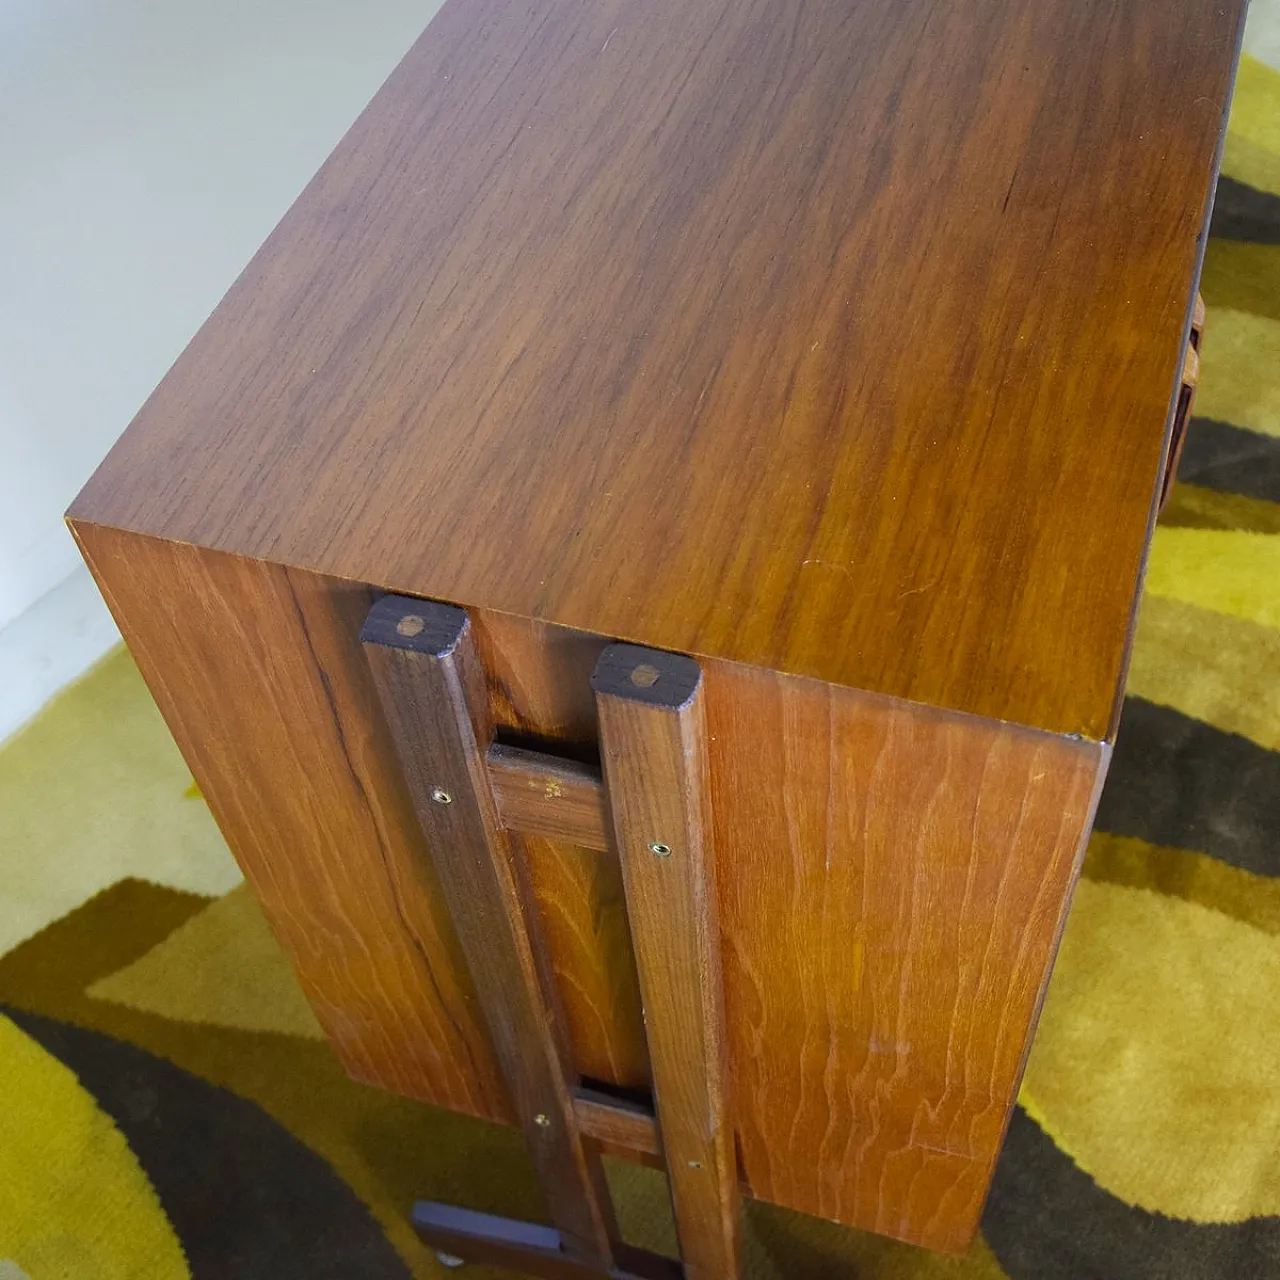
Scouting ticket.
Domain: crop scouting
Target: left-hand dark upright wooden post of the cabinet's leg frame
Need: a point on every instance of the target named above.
(436, 702)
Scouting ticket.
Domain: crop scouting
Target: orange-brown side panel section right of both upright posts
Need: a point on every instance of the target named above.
(893, 885)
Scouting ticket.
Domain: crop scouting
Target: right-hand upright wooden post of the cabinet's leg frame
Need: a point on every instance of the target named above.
(653, 743)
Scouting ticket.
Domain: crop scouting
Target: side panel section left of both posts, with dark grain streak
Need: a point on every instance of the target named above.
(259, 675)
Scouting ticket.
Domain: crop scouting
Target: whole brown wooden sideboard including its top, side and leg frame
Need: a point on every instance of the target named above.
(642, 565)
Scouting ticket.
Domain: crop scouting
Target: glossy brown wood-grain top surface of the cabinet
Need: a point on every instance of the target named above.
(838, 339)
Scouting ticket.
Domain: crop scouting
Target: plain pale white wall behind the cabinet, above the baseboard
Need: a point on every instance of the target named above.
(147, 149)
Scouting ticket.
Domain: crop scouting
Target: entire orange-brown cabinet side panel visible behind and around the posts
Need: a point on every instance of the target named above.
(893, 881)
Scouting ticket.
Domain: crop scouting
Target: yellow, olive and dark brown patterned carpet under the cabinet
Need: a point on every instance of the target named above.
(168, 1108)
